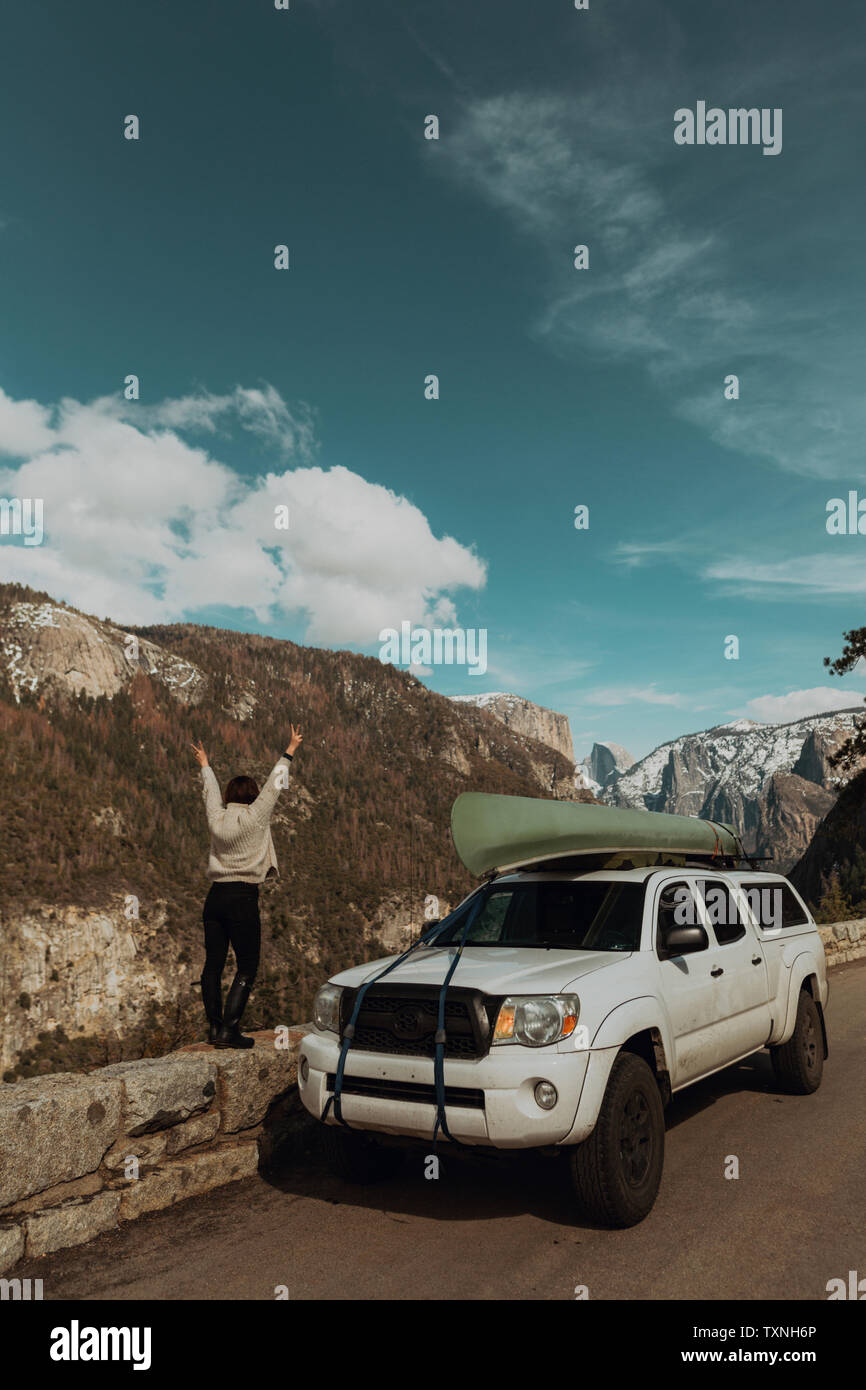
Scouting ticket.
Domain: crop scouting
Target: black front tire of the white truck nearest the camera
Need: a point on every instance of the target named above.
(618, 1171)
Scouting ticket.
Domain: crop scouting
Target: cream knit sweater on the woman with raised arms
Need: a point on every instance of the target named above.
(241, 844)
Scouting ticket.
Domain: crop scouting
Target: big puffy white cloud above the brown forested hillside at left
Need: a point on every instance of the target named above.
(145, 528)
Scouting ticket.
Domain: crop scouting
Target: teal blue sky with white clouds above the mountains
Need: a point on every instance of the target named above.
(452, 256)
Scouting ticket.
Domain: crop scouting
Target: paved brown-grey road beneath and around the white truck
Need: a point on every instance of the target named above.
(503, 1228)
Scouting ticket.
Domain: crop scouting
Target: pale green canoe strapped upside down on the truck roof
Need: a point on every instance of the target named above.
(509, 832)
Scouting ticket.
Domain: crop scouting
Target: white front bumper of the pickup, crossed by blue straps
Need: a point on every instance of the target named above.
(489, 1102)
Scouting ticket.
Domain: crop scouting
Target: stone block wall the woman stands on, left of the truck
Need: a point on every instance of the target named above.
(80, 1154)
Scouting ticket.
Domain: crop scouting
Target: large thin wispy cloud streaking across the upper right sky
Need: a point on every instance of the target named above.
(667, 286)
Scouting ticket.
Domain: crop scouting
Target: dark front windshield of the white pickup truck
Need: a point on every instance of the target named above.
(566, 917)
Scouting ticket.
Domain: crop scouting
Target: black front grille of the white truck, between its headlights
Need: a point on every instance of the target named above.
(402, 1020)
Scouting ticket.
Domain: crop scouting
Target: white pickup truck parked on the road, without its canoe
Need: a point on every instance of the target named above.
(583, 1001)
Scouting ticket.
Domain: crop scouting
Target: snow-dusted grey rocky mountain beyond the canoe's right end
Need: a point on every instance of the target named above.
(772, 782)
